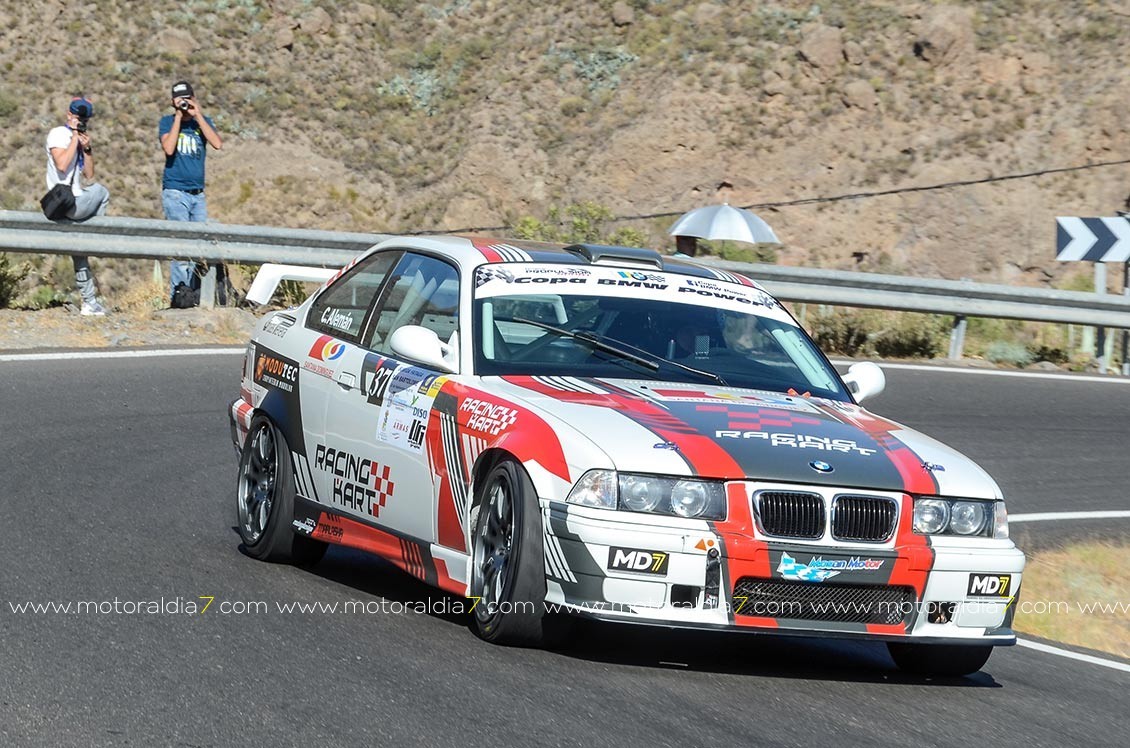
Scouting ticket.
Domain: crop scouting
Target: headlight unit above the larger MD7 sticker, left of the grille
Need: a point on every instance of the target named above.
(697, 500)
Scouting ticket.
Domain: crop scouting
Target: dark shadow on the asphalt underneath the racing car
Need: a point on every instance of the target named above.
(768, 656)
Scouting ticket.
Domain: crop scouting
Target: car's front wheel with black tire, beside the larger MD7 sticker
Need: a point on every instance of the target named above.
(508, 569)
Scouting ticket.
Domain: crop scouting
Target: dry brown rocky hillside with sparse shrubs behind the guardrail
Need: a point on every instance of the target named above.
(404, 116)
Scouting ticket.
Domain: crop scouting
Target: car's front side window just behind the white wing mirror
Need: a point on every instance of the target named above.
(422, 291)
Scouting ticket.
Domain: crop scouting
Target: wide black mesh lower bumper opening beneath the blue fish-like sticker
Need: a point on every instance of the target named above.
(846, 604)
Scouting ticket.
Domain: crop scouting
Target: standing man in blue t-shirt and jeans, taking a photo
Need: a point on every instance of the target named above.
(184, 137)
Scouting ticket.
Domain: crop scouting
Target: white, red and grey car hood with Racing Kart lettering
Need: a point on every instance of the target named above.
(732, 433)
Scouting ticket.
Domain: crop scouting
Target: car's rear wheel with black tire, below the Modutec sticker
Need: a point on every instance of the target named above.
(265, 500)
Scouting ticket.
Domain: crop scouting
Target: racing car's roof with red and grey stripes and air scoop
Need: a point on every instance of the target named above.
(473, 251)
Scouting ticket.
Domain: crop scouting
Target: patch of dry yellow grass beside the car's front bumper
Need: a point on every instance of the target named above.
(1080, 596)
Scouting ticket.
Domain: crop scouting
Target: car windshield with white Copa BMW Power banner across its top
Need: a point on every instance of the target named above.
(605, 323)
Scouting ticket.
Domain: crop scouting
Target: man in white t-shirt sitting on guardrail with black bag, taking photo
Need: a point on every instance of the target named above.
(71, 158)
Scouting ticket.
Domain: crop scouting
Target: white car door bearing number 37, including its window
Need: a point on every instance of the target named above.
(381, 420)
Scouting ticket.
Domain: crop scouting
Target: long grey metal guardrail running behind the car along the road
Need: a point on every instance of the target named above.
(143, 238)
